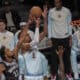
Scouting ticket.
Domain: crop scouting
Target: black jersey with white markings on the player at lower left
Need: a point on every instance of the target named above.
(11, 72)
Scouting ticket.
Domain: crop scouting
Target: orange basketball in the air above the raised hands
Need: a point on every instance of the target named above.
(36, 11)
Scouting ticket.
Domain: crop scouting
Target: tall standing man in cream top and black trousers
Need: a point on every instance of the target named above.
(60, 31)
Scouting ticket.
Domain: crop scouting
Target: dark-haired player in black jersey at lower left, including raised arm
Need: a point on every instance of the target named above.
(9, 66)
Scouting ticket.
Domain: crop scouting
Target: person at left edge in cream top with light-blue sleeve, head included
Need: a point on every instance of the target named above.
(6, 37)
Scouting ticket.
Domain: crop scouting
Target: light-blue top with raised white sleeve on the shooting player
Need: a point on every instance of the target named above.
(33, 68)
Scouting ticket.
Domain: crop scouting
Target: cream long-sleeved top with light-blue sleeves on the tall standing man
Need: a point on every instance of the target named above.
(59, 23)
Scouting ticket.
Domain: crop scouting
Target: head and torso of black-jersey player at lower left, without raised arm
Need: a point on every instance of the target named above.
(10, 64)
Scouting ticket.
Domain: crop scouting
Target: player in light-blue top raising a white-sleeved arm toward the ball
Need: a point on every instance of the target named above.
(32, 63)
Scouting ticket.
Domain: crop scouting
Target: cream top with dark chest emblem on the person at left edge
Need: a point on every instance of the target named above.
(7, 39)
